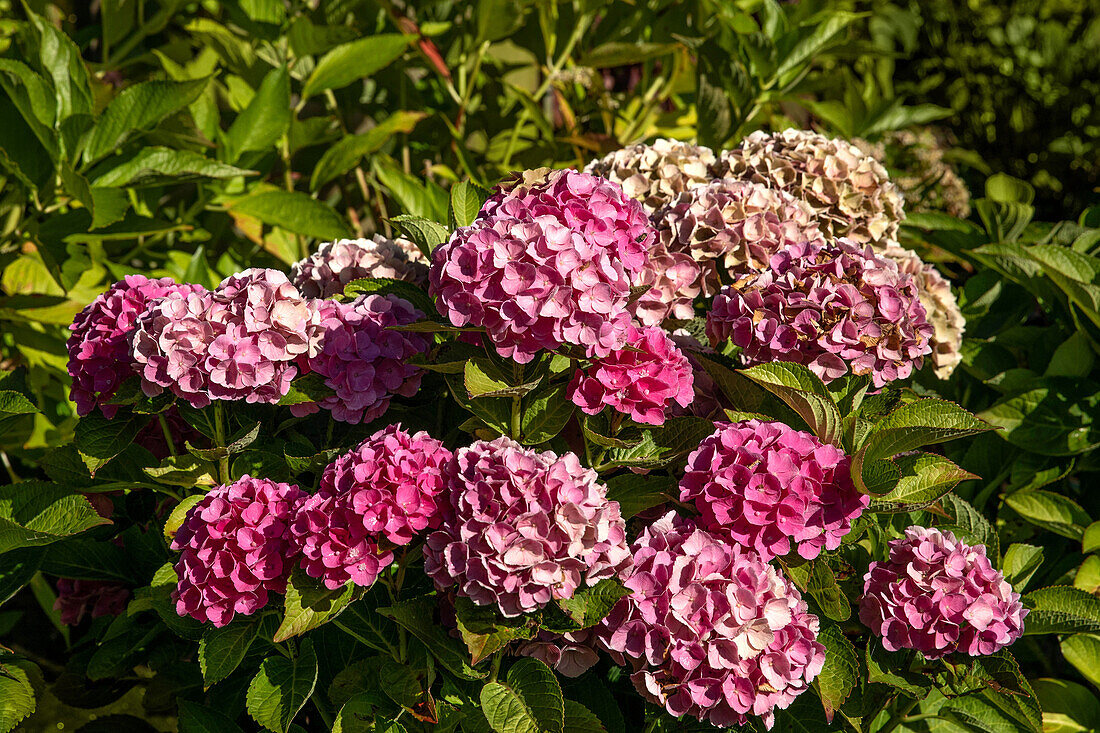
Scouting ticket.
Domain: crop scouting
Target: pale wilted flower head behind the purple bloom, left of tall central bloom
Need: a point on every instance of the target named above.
(327, 272)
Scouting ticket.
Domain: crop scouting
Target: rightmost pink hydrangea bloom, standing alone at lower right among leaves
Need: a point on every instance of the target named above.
(938, 595)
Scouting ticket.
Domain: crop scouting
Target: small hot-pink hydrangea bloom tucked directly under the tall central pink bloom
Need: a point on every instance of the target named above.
(643, 382)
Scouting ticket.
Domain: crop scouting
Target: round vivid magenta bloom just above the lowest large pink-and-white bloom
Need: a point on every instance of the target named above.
(773, 488)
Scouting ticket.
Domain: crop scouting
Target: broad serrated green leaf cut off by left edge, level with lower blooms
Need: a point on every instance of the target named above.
(35, 513)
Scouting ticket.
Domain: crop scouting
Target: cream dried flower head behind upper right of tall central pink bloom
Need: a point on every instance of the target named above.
(657, 174)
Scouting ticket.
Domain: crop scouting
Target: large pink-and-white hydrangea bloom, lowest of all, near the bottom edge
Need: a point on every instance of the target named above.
(713, 631)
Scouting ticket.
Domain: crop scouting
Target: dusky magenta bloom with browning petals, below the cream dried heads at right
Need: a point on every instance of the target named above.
(842, 309)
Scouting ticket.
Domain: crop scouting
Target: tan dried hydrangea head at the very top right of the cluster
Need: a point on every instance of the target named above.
(850, 191)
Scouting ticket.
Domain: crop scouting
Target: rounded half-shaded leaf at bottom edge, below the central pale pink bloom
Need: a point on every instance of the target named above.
(530, 702)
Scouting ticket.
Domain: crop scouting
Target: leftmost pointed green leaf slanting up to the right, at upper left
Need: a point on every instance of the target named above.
(138, 108)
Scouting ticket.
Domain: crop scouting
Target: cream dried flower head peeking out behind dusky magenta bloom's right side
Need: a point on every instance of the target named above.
(940, 304)
